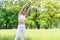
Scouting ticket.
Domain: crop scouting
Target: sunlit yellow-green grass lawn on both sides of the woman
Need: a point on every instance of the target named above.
(32, 34)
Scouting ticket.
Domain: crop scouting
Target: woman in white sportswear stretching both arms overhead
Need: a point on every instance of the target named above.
(21, 24)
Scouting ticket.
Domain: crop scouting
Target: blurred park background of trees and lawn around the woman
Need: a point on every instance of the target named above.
(43, 20)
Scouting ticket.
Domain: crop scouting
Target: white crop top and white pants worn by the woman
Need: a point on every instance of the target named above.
(21, 28)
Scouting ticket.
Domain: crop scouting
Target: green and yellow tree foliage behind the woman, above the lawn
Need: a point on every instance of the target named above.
(47, 15)
